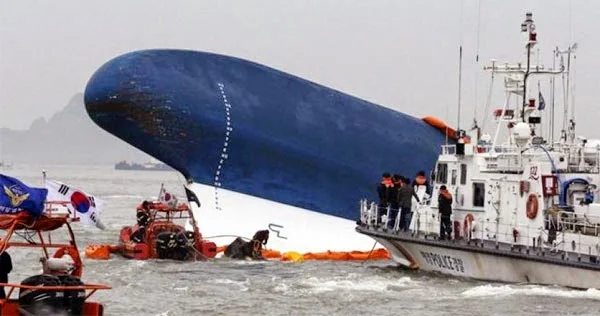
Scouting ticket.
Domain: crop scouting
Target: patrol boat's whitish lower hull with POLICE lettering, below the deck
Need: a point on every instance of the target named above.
(512, 267)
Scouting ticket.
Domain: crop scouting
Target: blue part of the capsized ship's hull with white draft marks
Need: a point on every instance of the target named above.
(248, 128)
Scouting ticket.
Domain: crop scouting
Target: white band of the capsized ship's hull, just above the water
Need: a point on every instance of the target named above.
(291, 228)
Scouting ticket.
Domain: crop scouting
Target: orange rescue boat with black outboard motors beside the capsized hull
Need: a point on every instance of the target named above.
(160, 234)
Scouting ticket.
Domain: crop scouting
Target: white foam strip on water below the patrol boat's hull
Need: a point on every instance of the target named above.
(516, 290)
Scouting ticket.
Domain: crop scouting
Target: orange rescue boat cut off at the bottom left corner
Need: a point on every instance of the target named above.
(59, 289)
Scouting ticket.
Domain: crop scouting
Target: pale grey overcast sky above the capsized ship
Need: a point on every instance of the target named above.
(400, 54)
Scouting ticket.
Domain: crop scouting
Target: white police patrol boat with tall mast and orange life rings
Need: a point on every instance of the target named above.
(525, 209)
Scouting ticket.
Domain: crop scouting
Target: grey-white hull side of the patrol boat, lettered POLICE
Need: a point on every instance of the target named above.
(488, 263)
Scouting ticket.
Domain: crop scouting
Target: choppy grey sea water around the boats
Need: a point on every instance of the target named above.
(219, 287)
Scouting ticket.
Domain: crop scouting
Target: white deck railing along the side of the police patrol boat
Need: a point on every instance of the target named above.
(560, 231)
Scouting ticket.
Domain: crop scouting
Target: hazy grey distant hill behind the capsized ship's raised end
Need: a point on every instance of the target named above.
(68, 137)
